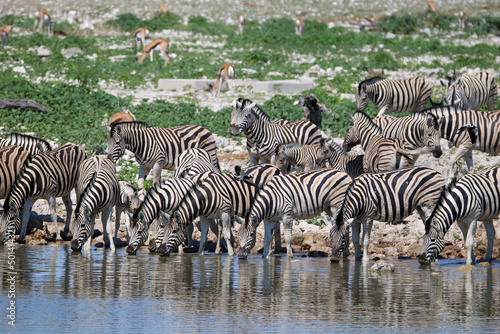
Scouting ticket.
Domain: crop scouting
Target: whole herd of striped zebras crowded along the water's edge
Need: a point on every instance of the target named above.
(295, 173)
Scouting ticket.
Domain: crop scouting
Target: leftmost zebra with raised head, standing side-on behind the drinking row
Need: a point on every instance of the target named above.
(157, 148)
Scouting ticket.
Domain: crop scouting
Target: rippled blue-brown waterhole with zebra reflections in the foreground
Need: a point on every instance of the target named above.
(58, 290)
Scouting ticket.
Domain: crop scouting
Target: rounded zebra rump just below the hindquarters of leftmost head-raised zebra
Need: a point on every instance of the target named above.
(194, 161)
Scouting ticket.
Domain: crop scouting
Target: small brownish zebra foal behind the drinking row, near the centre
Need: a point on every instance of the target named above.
(295, 157)
